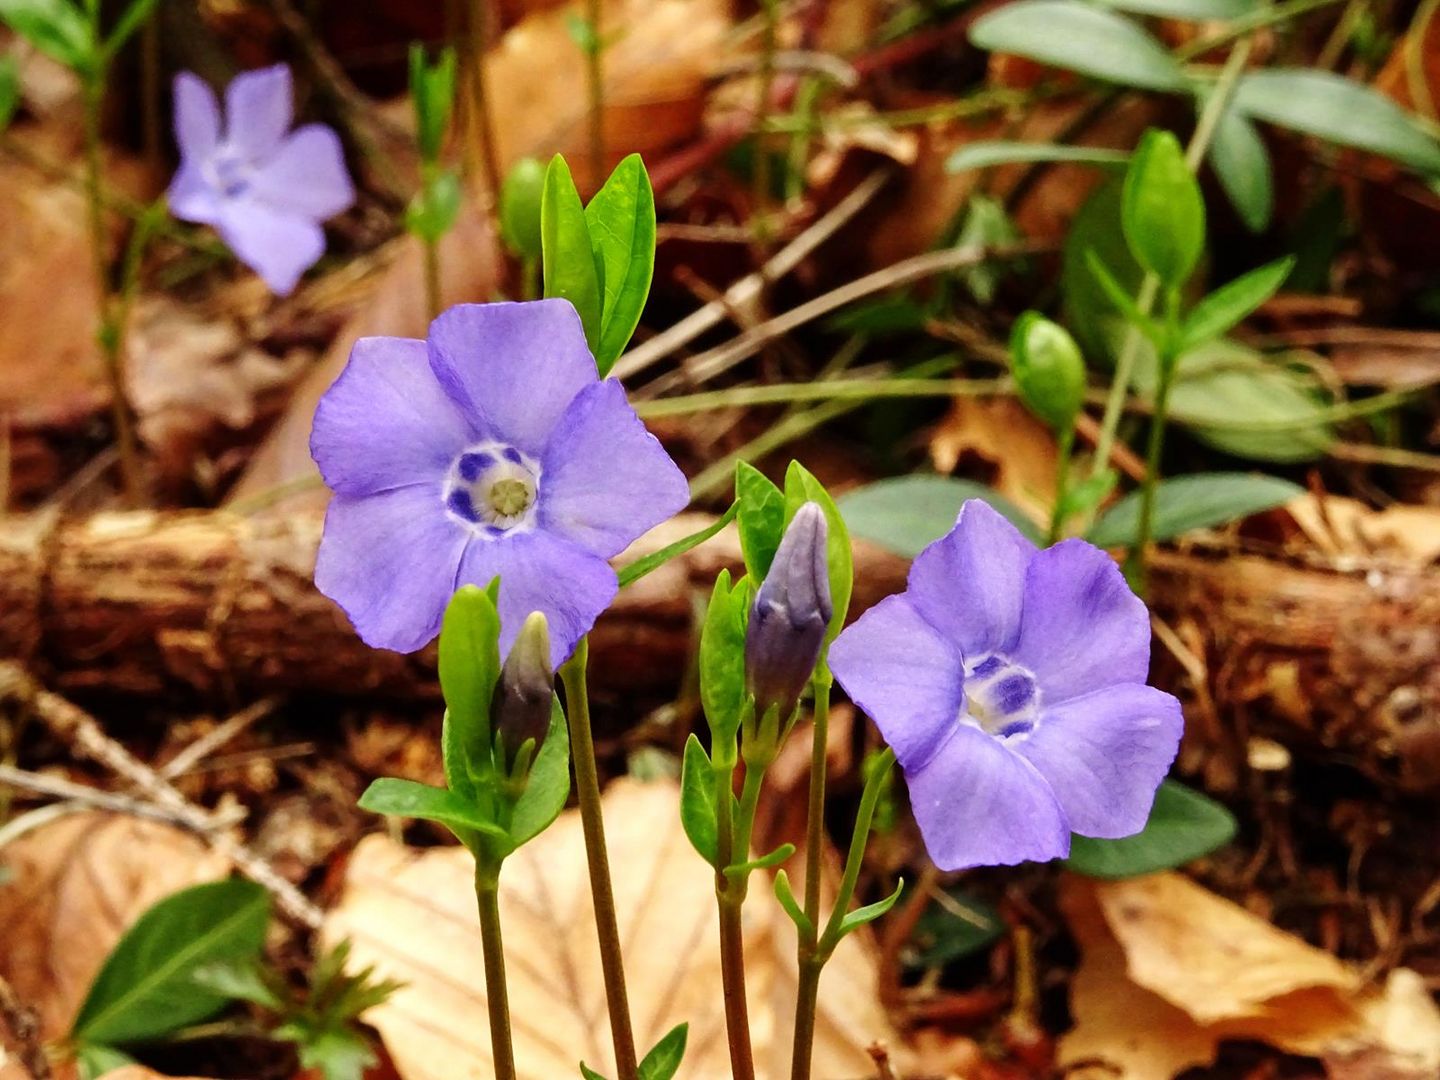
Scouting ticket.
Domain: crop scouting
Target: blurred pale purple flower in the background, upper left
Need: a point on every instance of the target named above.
(264, 188)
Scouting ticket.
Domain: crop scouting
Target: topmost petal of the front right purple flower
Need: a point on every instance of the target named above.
(970, 585)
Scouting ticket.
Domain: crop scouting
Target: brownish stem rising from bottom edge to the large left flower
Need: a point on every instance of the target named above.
(593, 822)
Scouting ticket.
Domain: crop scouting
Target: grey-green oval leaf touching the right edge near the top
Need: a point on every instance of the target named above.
(1331, 107)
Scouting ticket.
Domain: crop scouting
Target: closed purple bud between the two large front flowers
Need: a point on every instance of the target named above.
(791, 614)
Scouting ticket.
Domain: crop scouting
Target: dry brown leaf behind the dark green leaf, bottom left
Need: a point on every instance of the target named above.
(76, 886)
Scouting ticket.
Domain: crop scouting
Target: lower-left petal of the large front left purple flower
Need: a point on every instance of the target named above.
(390, 562)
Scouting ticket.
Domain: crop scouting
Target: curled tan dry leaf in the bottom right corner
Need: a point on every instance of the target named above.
(1171, 970)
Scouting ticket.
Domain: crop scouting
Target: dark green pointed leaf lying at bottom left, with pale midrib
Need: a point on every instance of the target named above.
(148, 986)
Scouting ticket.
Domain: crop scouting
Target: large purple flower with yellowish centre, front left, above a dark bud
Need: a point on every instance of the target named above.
(493, 449)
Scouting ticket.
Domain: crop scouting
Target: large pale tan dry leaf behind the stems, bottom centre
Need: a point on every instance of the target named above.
(413, 915)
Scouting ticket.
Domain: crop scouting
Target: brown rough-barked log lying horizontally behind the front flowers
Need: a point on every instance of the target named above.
(1340, 660)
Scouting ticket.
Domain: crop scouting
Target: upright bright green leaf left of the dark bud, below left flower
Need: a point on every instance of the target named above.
(469, 669)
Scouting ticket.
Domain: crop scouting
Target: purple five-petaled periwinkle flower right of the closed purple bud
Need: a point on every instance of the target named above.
(1012, 685)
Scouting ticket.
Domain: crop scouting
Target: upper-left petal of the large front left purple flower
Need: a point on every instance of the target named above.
(385, 423)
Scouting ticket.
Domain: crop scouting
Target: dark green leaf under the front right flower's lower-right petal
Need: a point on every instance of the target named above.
(1183, 827)
